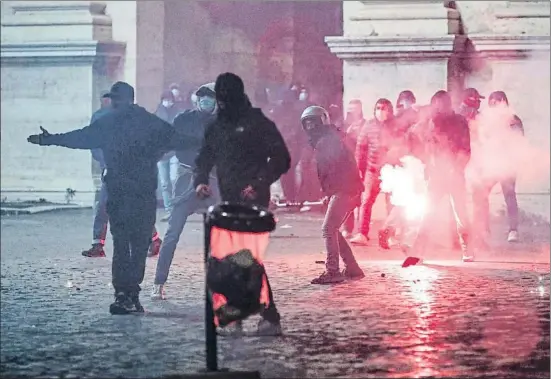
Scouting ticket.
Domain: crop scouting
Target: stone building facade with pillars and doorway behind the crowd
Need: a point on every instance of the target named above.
(58, 55)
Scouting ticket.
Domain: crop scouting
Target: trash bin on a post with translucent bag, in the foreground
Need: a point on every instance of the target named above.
(236, 238)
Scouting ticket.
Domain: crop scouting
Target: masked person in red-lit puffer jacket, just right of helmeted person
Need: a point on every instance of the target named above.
(374, 142)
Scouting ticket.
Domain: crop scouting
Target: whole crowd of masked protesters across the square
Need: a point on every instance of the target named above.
(212, 144)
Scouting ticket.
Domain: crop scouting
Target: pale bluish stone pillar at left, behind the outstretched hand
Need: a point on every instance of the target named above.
(56, 58)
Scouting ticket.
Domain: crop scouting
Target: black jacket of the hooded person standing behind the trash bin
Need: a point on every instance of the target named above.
(247, 149)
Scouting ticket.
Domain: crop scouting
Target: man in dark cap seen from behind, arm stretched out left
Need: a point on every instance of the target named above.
(132, 141)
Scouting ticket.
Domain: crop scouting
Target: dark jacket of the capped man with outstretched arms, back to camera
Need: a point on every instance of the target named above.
(132, 141)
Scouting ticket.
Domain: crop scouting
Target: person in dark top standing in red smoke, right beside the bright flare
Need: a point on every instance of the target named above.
(449, 152)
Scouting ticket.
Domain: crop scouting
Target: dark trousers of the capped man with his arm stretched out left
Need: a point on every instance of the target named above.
(132, 217)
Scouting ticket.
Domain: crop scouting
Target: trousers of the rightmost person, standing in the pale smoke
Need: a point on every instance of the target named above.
(481, 204)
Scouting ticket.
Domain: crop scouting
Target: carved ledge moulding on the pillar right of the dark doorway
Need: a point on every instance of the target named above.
(391, 48)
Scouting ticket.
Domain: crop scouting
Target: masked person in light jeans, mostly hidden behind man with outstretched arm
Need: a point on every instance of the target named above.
(168, 165)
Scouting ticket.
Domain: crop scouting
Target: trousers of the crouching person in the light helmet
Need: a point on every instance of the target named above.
(339, 209)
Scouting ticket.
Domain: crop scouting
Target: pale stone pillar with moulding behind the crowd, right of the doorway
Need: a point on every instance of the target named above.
(389, 46)
